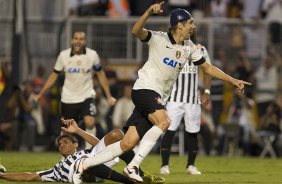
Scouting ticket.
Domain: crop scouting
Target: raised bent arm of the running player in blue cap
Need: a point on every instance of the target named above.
(138, 29)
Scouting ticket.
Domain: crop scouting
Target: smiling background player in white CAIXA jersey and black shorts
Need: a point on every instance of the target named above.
(78, 95)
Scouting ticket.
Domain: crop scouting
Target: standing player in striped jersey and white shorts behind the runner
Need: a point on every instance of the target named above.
(184, 102)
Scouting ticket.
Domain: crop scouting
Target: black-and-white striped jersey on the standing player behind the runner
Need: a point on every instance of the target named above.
(185, 88)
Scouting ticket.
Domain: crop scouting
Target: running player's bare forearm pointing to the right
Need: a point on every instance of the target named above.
(216, 72)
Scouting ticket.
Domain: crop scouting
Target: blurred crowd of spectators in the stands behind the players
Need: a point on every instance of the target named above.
(244, 122)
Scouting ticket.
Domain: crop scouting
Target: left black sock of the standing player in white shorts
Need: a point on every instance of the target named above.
(166, 143)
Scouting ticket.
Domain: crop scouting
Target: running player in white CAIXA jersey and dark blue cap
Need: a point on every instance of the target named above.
(167, 55)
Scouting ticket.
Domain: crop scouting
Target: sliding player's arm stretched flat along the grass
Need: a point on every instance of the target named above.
(24, 176)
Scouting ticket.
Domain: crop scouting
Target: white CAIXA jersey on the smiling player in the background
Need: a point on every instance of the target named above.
(78, 69)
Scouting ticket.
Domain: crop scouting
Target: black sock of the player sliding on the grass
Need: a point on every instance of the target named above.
(104, 172)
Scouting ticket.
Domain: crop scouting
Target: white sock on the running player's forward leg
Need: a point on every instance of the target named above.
(146, 144)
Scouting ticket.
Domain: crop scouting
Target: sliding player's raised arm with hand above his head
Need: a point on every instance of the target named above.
(72, 127)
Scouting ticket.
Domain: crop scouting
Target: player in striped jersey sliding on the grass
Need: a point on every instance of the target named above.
(63, 170)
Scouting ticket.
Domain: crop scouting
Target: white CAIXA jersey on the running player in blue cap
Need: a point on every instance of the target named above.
(166, 59)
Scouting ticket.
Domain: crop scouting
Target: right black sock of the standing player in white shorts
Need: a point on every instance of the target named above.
(192, 144)
